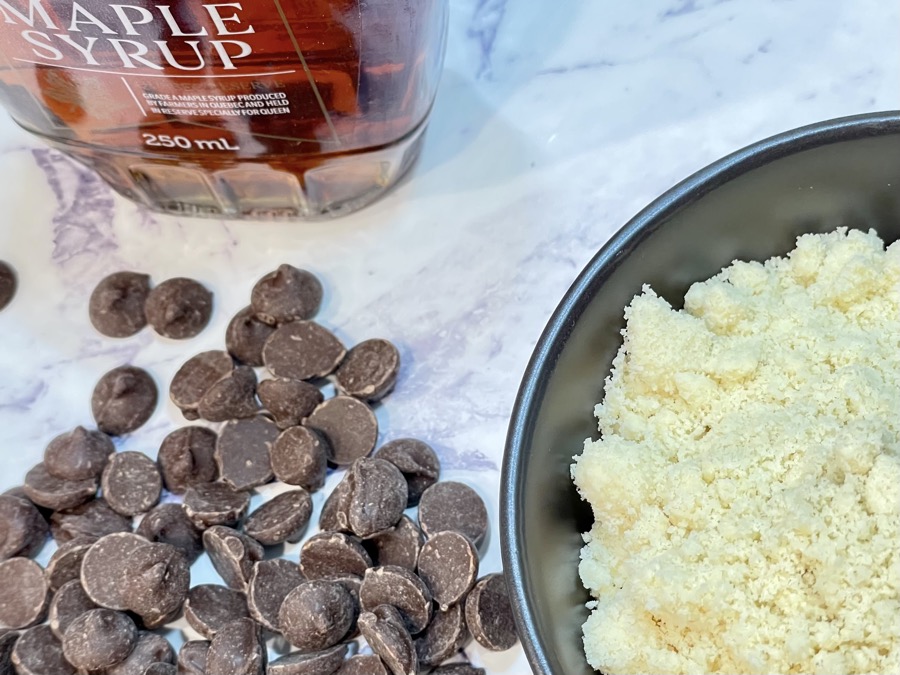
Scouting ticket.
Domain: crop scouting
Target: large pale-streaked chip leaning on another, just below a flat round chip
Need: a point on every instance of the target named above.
(377, 496)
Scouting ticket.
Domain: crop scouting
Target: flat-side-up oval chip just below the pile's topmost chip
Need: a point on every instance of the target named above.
(302, 350)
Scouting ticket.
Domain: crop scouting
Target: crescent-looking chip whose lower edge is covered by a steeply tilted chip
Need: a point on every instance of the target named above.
(396, 586)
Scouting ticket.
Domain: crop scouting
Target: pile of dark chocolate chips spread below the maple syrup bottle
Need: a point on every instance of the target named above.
(409, 587)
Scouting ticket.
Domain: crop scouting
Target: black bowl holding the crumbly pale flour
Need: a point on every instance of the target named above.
(750, 206)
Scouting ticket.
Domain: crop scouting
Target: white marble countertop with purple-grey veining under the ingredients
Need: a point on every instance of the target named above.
(555, 123)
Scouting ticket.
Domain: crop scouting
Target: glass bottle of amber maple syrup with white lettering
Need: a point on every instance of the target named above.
(253, 109)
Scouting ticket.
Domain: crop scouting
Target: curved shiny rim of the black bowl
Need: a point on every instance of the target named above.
(549, 346)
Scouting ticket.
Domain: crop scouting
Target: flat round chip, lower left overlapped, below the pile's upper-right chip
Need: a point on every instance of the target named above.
(349, 426)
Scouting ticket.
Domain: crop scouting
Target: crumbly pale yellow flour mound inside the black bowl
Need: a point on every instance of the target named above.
(746, 486)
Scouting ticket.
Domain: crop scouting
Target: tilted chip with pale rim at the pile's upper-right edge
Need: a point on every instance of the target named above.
(369, 371)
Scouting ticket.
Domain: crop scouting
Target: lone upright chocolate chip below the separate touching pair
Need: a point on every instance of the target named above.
(123, 400)
